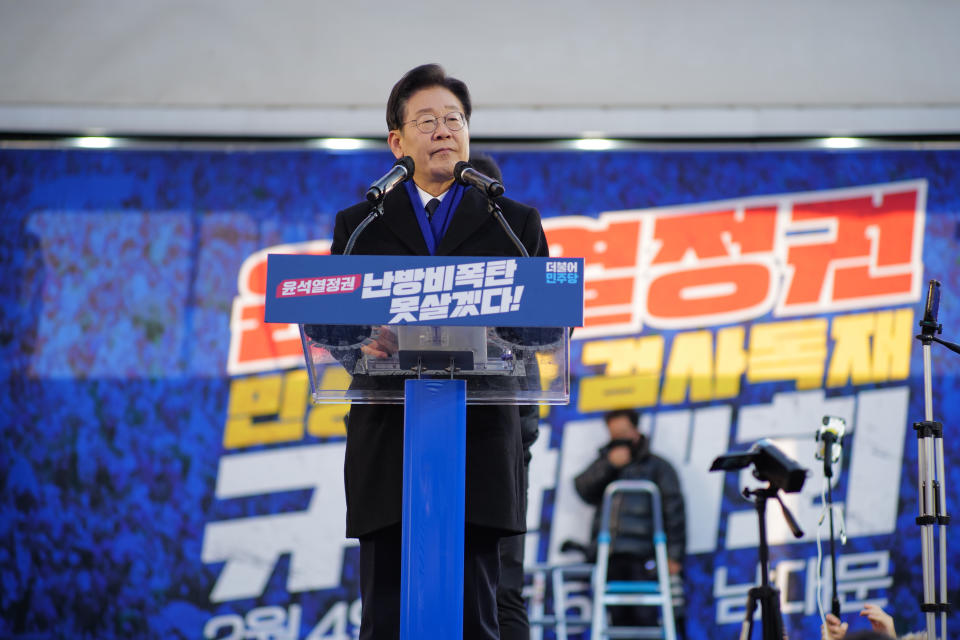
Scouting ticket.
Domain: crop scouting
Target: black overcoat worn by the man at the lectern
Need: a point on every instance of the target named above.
(373, 465)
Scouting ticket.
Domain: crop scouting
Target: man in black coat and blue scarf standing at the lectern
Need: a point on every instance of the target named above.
(428, 115)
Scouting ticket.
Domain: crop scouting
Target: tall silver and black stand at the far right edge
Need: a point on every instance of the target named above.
(931, 476)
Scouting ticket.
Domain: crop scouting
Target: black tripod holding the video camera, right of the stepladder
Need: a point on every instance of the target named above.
(766, 595)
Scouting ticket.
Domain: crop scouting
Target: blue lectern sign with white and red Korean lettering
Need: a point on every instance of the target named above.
(511, 292)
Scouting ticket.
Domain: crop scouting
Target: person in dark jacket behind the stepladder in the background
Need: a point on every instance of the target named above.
(627, 457)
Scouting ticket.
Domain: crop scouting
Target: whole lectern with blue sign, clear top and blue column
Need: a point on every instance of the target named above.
(434, 334)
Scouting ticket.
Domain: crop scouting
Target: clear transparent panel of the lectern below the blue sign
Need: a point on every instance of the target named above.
(501, 365)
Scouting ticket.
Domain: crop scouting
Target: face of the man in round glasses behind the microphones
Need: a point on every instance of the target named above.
(434, 154)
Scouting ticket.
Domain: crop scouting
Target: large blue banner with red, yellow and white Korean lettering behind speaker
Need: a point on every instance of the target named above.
(164, 474)
